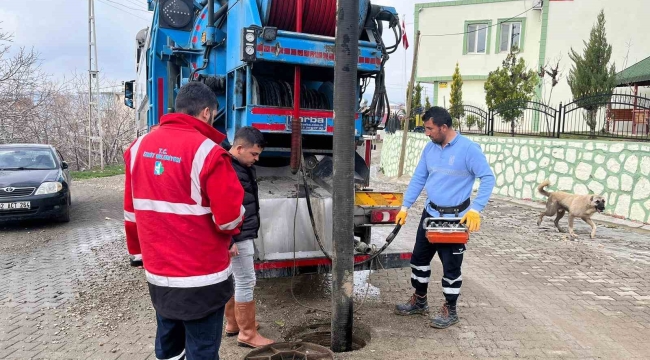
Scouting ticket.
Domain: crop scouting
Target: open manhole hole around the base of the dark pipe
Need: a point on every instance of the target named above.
(321, 334)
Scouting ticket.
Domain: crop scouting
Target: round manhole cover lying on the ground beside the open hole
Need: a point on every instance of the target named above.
(291, 351)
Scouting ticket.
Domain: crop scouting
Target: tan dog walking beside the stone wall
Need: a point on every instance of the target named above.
(581, 206)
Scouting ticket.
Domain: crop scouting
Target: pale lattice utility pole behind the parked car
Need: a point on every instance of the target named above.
(94, 114)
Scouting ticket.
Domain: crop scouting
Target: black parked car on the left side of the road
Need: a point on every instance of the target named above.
(34, 183)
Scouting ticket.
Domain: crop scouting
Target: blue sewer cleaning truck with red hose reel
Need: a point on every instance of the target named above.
(269, 63)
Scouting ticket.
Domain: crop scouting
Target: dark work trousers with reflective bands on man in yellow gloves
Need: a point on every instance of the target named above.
(451, 256)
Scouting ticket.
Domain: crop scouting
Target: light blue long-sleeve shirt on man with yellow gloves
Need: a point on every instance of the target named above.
(448, 175)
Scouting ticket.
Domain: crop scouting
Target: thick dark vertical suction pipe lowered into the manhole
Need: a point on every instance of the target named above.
(345, 90)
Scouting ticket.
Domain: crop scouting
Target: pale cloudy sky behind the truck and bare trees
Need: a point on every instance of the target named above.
(61, 37)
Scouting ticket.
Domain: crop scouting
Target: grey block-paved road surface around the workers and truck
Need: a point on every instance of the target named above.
(67, 293)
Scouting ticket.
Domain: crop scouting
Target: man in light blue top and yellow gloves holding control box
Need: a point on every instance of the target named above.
(447, 170)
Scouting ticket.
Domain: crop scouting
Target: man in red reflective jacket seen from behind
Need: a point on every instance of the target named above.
(182, 205)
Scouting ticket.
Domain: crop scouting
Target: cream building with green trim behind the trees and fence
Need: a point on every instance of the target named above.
(478, 34)
